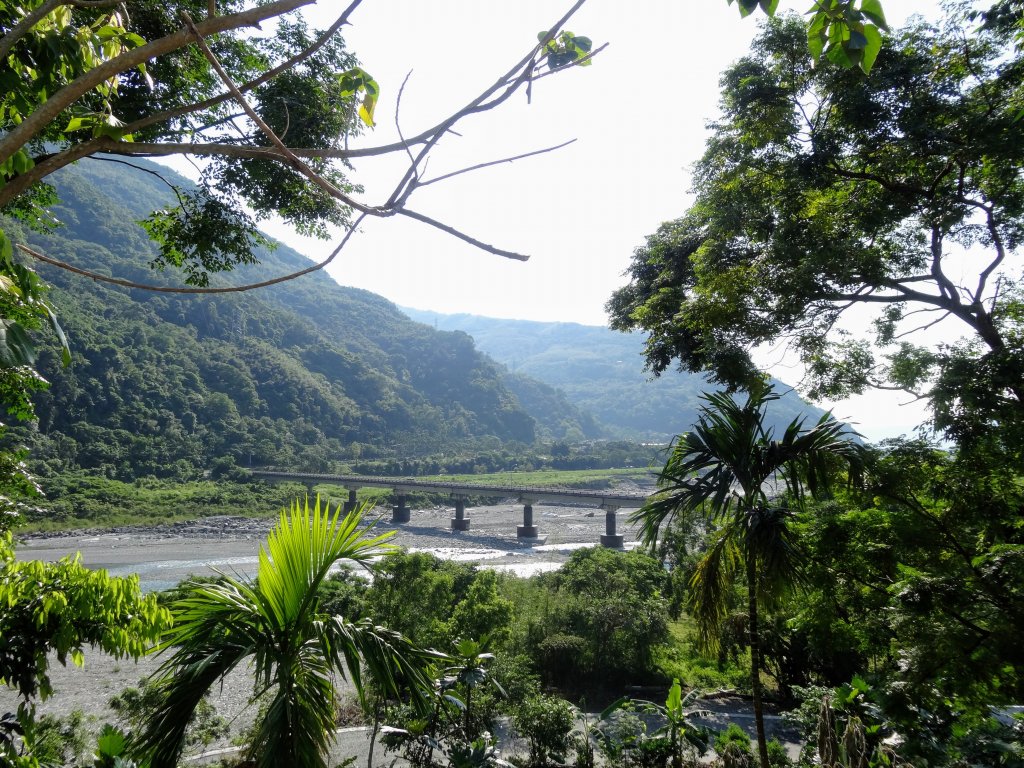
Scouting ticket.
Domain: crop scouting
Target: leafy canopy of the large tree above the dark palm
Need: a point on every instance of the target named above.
(822, 191)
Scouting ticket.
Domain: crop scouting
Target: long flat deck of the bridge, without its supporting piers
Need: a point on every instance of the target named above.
(527, 494)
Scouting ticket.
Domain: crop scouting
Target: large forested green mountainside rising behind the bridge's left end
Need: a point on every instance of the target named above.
(301, 375)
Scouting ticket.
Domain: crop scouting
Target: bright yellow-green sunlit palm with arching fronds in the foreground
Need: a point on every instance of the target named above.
(295, 650)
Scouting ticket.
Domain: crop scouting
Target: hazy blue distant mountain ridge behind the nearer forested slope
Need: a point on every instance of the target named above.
(601, 371)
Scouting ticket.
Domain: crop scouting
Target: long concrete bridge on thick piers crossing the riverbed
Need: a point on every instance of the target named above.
(528, 495)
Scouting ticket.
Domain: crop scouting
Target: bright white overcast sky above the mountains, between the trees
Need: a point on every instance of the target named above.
(639, 119)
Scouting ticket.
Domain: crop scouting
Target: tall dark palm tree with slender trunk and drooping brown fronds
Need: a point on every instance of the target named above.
(731, 477)
